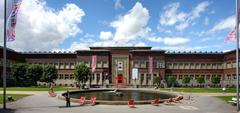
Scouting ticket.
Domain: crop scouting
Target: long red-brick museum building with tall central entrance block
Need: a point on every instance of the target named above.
(117, 64)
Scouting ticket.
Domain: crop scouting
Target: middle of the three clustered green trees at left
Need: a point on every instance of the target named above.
(35, 73)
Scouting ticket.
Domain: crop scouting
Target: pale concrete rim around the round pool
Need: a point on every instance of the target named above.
(104, 102)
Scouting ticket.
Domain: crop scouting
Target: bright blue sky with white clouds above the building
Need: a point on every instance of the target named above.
(172, 25)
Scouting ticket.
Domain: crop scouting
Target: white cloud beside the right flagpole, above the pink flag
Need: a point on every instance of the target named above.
(227, 23)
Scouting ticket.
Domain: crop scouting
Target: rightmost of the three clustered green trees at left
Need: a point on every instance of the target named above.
(49, 74)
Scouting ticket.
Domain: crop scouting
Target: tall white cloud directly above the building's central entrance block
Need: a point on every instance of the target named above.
(132, 25)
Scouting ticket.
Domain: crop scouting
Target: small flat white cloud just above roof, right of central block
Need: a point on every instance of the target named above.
(169, 40)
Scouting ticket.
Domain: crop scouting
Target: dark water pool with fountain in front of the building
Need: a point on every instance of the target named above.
(121, 96)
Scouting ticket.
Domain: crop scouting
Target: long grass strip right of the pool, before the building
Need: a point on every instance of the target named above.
(200, 90)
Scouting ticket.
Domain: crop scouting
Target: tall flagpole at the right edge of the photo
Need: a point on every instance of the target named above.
(237, 47)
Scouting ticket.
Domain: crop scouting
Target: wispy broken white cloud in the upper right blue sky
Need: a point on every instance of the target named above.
(172, 16)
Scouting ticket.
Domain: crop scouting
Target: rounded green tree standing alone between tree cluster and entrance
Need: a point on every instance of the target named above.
(82, 73)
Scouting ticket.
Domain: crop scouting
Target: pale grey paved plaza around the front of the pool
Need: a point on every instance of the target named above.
(39, 102)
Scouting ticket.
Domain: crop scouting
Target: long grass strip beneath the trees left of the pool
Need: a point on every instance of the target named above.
(55, 88)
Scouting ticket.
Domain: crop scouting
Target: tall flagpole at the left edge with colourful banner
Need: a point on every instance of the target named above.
(4, 55)
